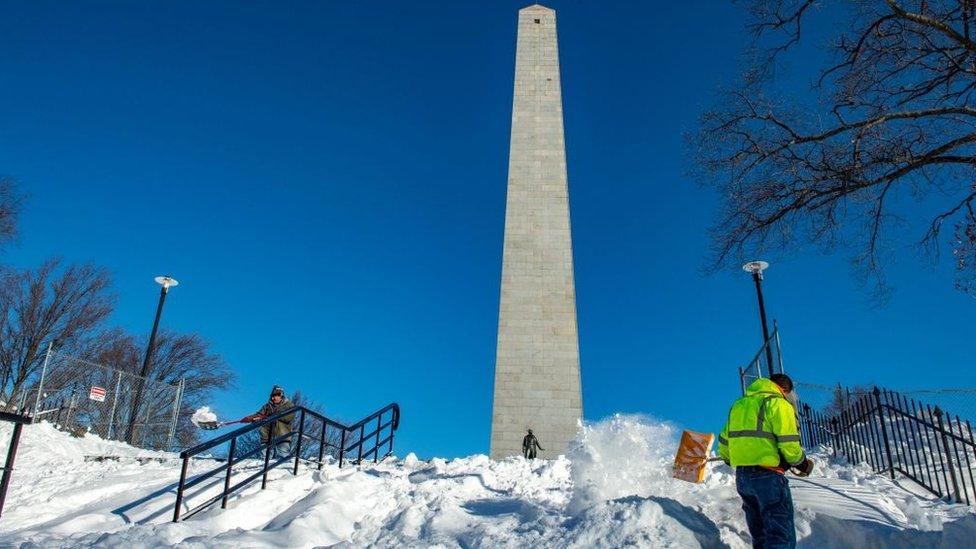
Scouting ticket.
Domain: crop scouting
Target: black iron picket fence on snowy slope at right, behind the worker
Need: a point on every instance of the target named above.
(893, 433)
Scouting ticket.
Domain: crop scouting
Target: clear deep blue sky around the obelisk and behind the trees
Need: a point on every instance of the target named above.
(327, 180)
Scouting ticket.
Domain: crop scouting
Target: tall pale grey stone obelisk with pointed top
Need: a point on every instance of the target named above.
(537, 376)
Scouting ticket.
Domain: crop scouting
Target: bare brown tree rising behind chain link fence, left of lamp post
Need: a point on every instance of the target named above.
(53, 303)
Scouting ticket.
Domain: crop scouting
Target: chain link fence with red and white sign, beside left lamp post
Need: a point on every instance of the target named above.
(82, 396)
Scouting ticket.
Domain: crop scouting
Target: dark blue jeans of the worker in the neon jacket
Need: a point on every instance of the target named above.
(768, 504)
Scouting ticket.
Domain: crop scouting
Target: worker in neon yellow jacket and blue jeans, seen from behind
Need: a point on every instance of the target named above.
(762, 442)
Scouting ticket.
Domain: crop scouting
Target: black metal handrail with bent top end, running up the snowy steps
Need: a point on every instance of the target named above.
(392, 424)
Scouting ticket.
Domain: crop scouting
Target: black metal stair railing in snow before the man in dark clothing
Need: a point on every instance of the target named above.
(327, 436)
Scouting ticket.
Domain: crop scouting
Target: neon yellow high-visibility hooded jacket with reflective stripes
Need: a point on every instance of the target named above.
(761, 429)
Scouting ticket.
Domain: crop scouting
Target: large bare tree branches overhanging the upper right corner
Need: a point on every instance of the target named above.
(892, 123)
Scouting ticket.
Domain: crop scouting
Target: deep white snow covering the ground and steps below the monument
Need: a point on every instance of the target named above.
(613, 489)
